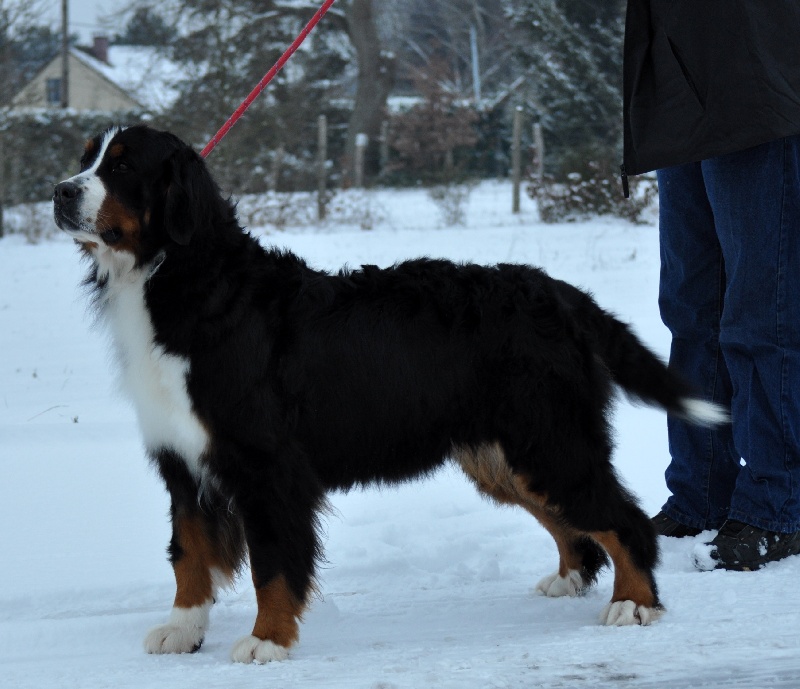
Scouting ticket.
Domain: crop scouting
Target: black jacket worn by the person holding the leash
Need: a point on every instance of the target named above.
(707, 77)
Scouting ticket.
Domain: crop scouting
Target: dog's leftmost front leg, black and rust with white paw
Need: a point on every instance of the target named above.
(206, 550)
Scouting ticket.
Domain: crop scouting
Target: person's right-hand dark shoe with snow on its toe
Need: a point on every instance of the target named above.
(745, 548)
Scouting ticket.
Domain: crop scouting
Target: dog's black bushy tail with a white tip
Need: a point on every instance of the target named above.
(636, 369)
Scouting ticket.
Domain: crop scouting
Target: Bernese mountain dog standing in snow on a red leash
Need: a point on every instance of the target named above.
(261, 384)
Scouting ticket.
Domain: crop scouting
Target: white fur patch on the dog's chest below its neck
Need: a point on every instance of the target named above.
(154, 379)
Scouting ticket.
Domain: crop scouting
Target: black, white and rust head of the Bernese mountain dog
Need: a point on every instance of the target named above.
(138, 191)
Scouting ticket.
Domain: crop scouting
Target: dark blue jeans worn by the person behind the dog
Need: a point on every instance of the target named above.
(730, 296)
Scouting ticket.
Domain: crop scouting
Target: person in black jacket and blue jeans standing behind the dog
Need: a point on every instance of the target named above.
(712, 102)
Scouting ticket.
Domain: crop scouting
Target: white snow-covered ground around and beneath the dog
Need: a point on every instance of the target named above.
(427, 585)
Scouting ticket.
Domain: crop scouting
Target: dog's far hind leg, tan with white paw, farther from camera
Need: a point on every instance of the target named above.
(580, 558)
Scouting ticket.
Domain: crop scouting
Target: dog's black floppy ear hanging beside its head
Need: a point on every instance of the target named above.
(191, 196)
